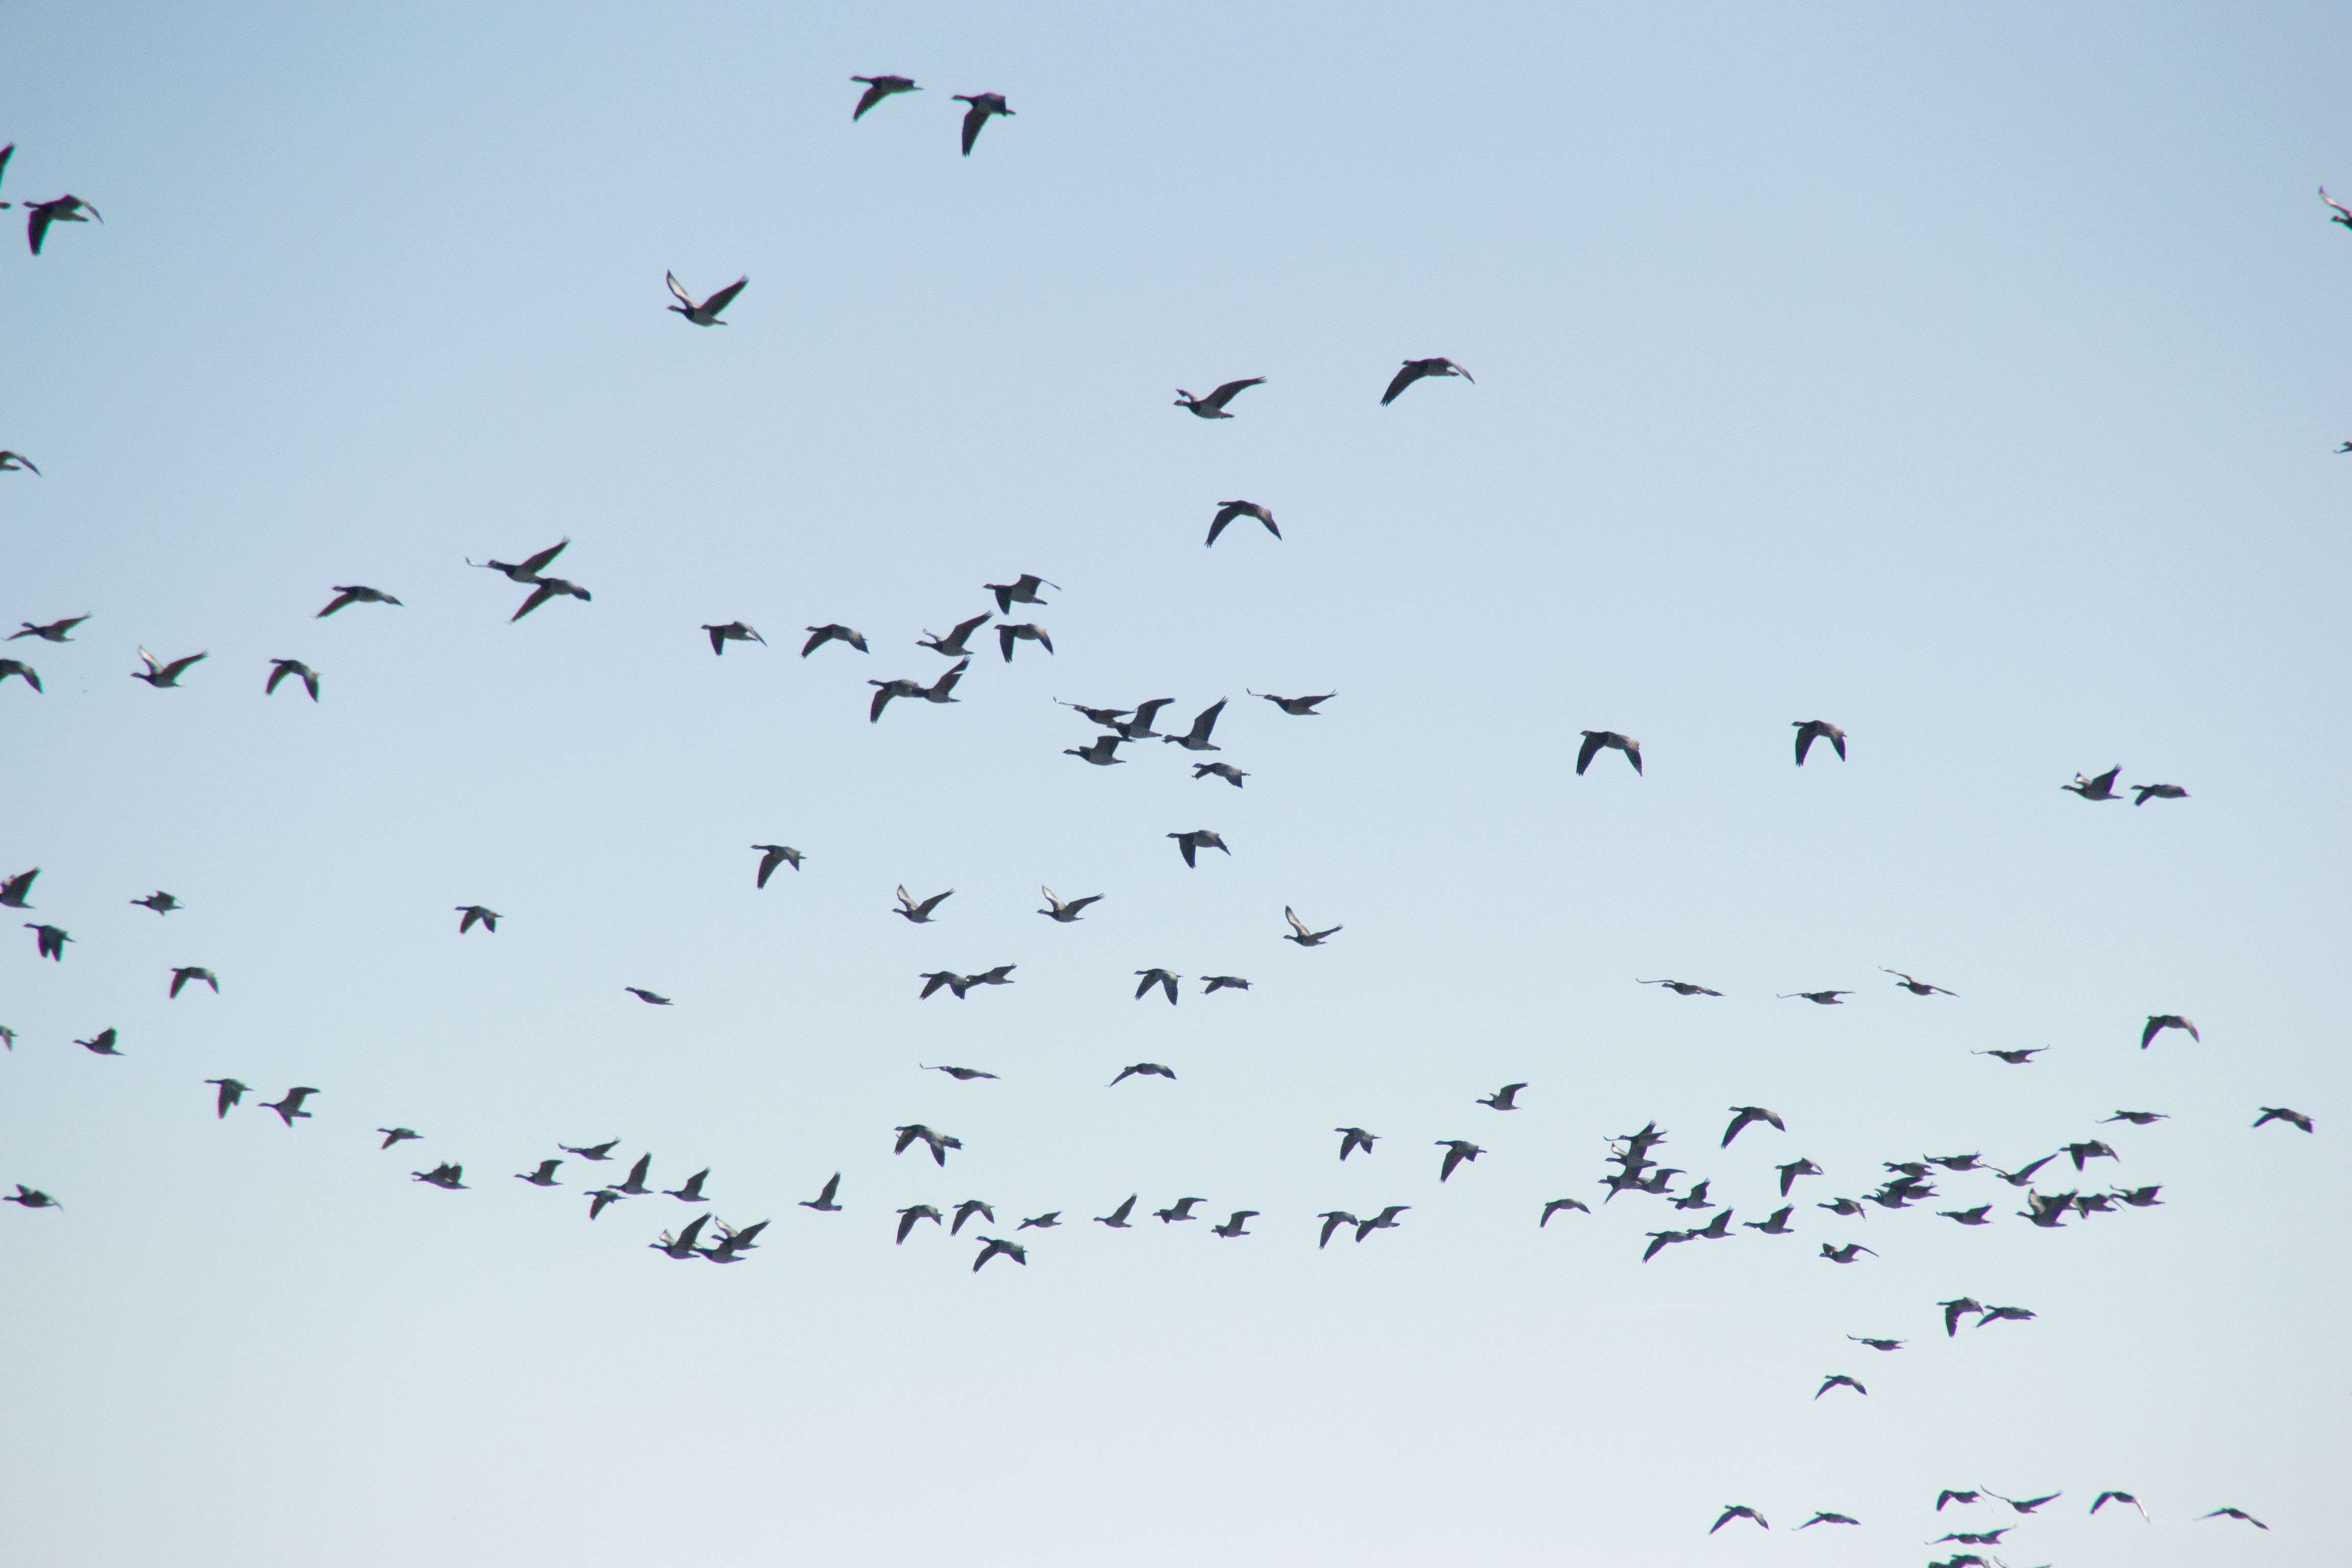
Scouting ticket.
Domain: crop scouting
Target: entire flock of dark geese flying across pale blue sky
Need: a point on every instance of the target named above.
(1629, 1170)
